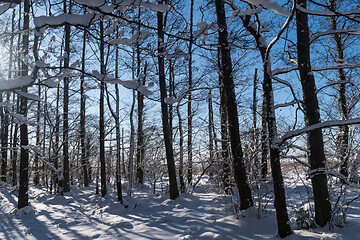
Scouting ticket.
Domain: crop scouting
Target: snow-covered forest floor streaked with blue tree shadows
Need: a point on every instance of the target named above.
(206, 214)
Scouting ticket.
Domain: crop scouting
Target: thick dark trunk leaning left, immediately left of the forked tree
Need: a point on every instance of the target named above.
(246, 200)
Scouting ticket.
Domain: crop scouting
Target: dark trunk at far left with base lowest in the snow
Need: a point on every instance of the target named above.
(23, 199)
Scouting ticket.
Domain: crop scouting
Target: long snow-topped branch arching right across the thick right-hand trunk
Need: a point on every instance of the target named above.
(327, 124)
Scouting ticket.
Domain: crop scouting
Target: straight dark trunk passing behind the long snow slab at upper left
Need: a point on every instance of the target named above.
(66, 171)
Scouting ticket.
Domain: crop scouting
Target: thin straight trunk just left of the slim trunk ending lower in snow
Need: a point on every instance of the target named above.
(101, 122)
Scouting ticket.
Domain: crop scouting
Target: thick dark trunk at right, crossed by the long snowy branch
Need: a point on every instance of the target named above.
(312, 116)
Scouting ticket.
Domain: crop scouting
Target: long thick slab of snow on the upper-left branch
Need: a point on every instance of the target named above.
(56, 21)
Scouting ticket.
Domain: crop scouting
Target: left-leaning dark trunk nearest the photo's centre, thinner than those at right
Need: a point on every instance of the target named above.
(174, 193)
